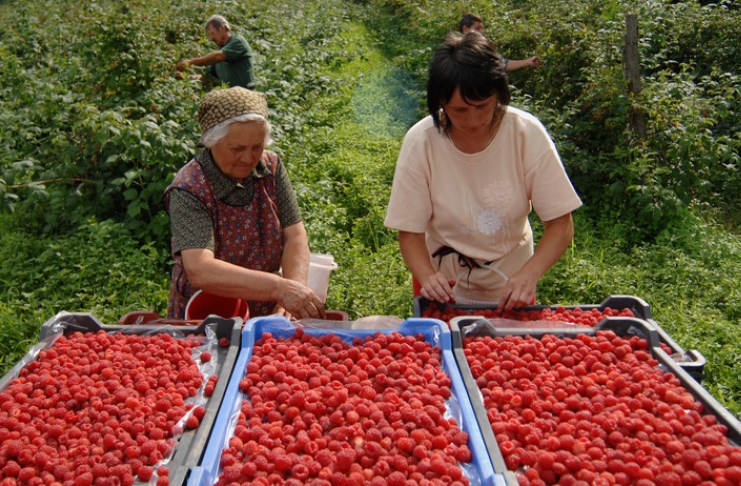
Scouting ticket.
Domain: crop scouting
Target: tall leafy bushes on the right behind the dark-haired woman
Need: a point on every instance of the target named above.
(690, 96)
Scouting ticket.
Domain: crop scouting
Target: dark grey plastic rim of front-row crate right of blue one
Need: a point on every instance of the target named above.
(622, 326)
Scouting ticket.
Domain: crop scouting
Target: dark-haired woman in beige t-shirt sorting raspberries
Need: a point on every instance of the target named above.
(466, 180)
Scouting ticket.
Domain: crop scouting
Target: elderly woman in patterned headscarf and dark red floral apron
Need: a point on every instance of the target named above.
(236, 226)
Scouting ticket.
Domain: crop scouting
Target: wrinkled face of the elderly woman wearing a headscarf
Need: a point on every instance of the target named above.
(239, 152)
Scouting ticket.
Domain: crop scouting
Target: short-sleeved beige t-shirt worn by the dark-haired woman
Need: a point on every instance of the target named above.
(478, 204)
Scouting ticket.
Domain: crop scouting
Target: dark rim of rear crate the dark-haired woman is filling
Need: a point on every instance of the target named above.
(692, 361)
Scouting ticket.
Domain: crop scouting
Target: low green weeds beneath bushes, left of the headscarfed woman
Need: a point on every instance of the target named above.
(99, 268)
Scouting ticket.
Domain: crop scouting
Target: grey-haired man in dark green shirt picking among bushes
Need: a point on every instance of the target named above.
(232, 63)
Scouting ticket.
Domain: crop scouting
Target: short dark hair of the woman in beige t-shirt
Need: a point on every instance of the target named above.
(469, 63)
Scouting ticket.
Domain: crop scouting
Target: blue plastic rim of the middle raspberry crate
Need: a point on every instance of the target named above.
(434, 332)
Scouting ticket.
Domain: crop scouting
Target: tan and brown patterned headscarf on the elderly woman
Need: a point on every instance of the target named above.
(222, 104)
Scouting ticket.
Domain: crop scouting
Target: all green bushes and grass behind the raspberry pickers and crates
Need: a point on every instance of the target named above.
(93, 125)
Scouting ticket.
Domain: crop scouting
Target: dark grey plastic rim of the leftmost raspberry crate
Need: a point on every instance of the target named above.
(191, 444)
